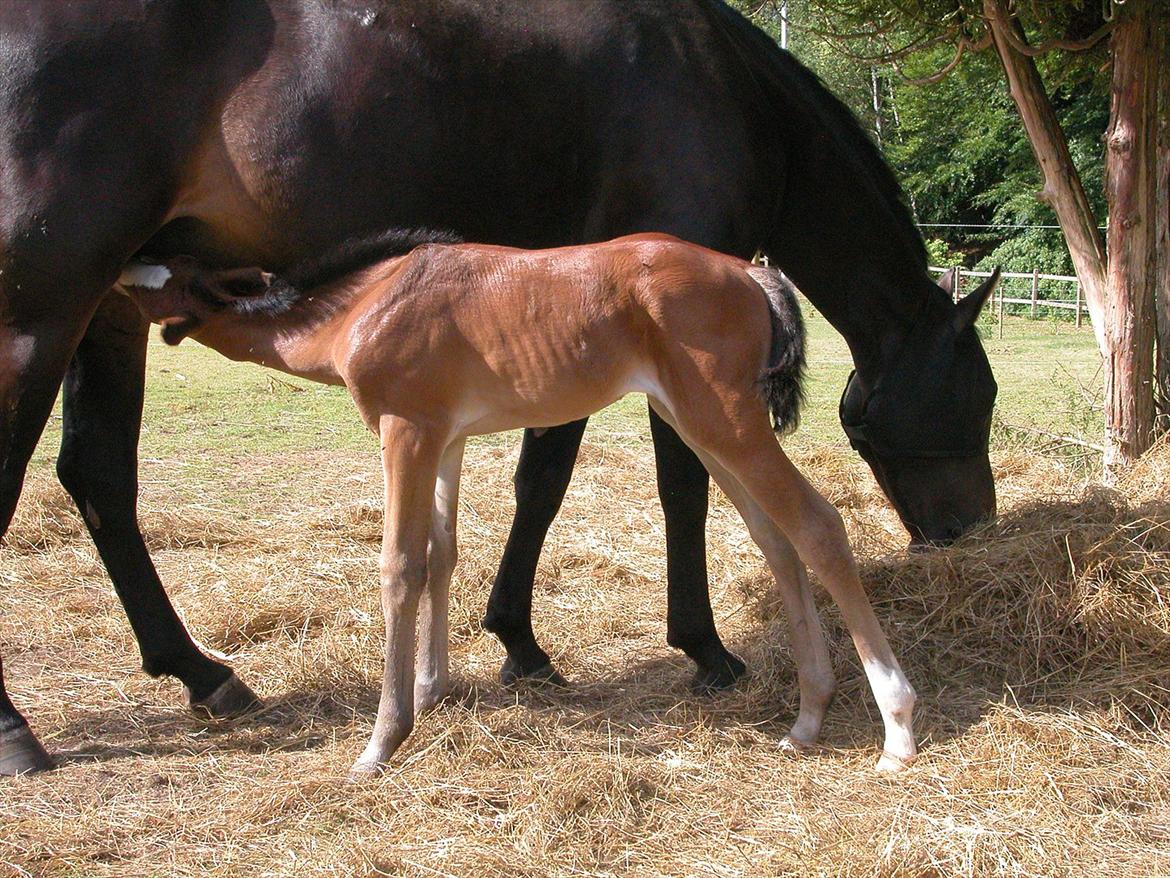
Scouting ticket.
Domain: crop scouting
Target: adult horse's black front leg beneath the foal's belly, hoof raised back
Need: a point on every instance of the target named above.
(542, 477)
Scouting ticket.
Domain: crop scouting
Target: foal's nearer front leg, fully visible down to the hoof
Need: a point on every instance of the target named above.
(410, 459)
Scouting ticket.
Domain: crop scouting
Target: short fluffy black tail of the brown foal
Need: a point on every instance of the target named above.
(782, 382)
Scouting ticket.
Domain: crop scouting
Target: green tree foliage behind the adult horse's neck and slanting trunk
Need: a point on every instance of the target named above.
(959, 146)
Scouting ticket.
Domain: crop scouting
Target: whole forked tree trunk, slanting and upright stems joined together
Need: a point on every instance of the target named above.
(1119, 291)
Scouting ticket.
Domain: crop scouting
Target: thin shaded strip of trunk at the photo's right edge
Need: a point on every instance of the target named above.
(1162, 202)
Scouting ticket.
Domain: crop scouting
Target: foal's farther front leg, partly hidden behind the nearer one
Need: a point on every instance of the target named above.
(432, 671)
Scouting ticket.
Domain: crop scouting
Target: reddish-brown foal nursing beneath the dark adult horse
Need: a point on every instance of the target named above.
(452, 340)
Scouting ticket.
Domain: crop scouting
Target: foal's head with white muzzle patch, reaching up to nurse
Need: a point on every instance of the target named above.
(182, 294)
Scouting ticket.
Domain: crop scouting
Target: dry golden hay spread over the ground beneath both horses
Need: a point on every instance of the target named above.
(1041, 649)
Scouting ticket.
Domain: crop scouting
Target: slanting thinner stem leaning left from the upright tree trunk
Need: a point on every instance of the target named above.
(1063, 189)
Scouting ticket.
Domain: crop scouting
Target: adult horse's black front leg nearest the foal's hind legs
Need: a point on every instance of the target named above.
(691, 625)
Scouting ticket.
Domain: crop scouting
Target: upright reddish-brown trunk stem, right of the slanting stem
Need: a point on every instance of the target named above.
(1131, 191)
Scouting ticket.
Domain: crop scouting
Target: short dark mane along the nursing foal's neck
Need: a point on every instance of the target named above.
(294, 285)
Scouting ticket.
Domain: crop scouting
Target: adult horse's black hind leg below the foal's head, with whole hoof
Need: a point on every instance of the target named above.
(99, 467)
